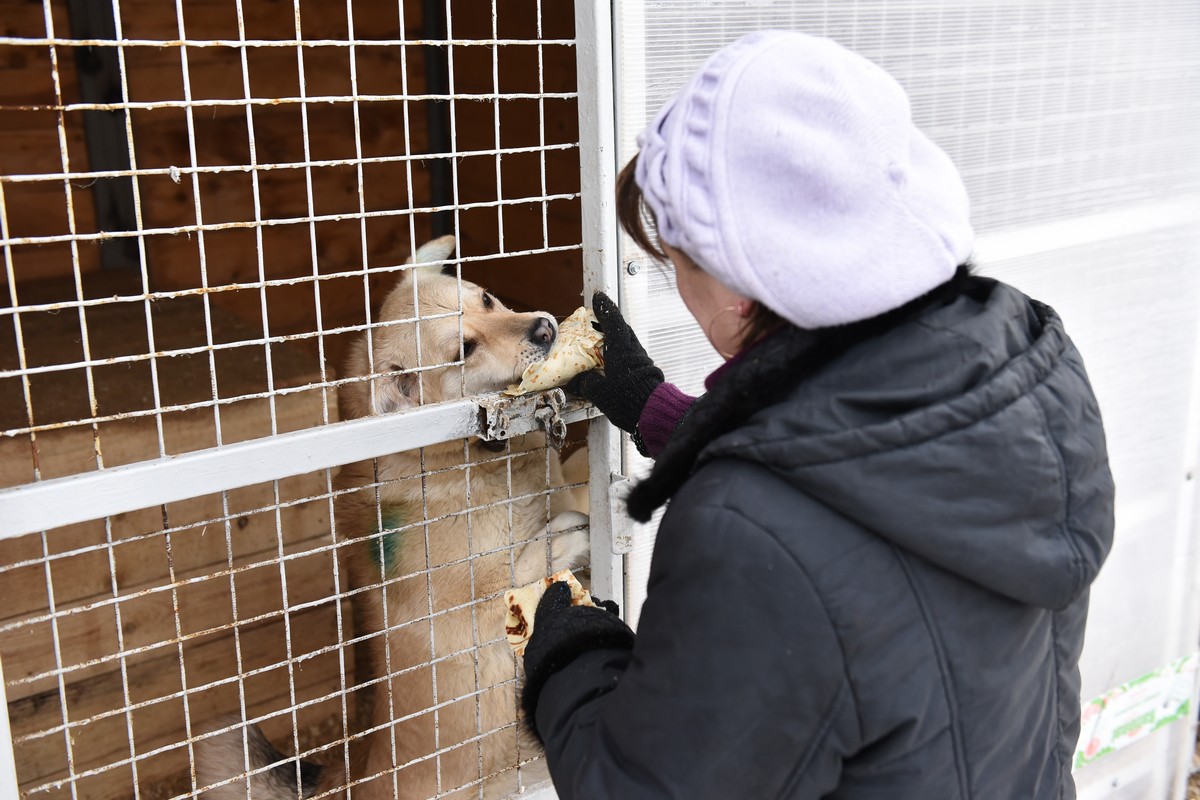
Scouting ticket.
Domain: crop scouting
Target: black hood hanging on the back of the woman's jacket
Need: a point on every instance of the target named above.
(970, 437)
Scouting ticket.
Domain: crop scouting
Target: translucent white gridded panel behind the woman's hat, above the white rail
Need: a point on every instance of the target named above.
(1049, 110)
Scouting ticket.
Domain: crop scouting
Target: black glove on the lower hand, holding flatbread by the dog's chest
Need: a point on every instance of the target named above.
(563, 633)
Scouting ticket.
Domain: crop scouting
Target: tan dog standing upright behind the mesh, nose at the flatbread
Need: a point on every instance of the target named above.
(436, 537)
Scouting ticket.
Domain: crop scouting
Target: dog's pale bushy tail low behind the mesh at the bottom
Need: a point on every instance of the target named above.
(221, 759)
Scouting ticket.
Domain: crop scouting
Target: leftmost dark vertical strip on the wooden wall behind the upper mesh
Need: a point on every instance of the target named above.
(100, 82)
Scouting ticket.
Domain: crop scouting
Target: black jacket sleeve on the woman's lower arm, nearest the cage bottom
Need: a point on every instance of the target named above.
(735, 687)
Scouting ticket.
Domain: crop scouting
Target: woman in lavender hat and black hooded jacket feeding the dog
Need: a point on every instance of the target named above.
(885, 514)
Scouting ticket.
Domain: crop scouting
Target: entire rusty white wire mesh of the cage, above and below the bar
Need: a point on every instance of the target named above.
(203, 214)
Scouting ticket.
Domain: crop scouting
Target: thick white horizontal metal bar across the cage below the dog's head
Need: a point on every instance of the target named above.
(68, 501)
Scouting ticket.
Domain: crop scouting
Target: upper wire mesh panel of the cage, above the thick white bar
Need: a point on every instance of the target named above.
(278, 177)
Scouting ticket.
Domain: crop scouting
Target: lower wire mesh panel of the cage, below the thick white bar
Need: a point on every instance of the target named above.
(133, 641)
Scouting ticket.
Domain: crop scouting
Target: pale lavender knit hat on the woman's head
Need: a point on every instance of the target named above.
(790, 170)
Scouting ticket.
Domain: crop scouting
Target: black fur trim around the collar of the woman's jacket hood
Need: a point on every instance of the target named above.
(764, 377)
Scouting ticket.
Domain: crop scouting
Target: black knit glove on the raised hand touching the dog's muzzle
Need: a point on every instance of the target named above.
(629, 377)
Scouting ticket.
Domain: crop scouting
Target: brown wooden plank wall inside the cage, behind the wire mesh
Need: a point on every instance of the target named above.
(173, 591)
